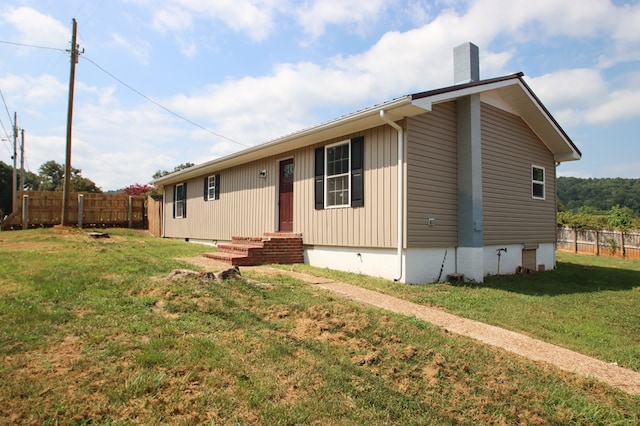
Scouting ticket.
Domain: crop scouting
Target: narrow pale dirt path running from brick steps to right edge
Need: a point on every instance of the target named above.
(537, 350)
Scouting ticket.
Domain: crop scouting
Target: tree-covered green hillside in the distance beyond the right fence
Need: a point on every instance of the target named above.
(599, 194)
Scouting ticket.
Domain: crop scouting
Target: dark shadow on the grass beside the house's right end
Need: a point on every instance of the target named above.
(567, 278)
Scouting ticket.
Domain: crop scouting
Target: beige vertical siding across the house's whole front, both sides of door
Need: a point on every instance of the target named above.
(247, 204)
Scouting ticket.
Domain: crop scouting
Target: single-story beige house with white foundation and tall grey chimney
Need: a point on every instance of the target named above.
(458, 180)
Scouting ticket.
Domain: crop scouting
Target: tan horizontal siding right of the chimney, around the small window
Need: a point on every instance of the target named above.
(509, 149)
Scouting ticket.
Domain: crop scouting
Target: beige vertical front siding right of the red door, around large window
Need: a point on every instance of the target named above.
(373, 225)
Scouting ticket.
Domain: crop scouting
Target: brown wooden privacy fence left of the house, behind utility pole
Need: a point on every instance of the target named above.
(44, 208)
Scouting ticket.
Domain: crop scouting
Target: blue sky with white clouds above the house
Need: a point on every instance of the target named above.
(165, 82)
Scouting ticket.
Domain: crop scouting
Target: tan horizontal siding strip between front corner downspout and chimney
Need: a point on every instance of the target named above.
(432, 186)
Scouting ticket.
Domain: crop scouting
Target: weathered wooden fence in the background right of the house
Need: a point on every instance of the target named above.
(600, 243)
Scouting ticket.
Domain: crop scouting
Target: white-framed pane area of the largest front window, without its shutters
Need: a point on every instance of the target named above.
(337, 175)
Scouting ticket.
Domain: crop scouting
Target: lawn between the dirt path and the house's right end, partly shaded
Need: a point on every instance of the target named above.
(589, 304)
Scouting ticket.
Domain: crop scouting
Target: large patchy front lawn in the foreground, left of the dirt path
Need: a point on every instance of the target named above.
(94, 332)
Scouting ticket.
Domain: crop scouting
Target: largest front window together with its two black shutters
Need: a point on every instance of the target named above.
(339, 174)
